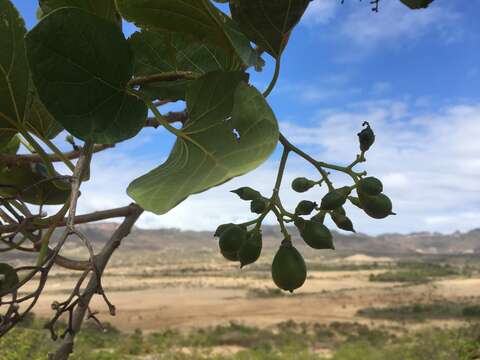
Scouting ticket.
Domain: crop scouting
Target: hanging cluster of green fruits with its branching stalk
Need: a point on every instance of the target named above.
(239, 243)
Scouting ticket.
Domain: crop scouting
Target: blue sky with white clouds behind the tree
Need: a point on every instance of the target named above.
(413, 75)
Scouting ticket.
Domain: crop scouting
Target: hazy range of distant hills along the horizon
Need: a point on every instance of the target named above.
(174, 242)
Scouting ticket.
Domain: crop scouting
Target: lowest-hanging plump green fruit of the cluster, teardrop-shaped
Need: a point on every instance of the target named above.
(289, 271)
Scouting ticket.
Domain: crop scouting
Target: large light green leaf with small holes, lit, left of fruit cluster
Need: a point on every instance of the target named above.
(231, 131)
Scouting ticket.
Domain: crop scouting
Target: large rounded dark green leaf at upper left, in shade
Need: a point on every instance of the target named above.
(81, 76)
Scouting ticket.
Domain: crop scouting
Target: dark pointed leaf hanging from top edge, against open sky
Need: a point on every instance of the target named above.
(268, 23)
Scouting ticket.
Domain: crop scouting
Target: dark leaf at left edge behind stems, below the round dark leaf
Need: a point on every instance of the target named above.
(31, 183)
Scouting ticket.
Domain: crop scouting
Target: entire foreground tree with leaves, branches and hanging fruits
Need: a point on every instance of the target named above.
(76, 74)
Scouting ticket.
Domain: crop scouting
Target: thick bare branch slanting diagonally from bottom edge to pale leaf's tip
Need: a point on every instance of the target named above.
(101, 261)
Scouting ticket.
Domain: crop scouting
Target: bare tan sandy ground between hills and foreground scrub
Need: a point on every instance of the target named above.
(208, 296)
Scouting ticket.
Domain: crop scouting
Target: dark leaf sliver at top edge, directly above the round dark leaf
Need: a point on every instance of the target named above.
(103, 8)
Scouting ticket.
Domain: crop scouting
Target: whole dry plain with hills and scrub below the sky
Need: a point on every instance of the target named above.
(177, 282)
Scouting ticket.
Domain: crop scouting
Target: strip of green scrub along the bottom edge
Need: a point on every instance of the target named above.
(343, 341)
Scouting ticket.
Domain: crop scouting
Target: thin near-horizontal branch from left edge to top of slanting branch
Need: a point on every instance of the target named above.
(79, 219)
